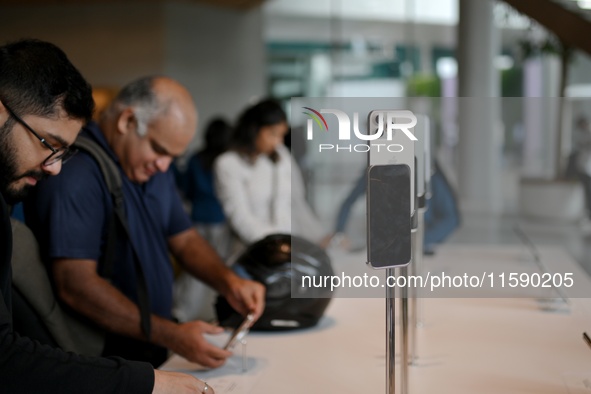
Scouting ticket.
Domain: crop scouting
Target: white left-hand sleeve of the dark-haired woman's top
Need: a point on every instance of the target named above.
(231, 176)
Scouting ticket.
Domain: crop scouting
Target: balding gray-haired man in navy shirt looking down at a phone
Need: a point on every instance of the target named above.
(148, 124)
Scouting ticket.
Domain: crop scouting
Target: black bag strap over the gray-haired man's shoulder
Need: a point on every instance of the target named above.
(117, 226)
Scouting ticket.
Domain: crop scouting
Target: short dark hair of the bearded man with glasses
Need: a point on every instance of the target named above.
(36, 78)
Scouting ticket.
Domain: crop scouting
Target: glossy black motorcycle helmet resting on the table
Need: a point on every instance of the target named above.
(277, 261)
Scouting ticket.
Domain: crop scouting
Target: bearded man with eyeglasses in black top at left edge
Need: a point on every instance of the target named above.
(44, 102)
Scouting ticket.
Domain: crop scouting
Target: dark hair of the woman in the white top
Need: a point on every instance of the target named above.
(265, 113)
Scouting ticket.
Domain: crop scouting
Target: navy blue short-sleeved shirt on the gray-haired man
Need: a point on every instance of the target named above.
(70, 214)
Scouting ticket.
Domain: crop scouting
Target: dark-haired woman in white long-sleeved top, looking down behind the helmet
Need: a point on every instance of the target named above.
(259, 184)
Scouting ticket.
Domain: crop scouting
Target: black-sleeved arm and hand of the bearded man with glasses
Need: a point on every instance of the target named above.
(28, 367)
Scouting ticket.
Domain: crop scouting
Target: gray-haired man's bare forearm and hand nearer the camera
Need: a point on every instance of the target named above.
(79, 286)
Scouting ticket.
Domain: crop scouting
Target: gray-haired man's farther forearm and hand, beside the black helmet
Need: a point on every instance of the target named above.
(201, 260)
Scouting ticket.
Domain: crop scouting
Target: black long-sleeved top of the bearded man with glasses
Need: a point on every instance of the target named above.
(29, 367)
